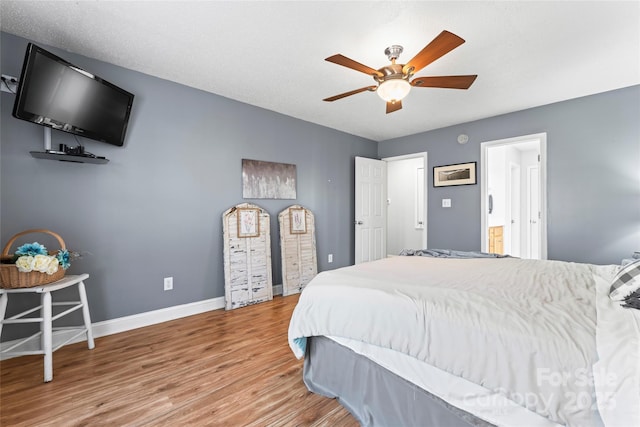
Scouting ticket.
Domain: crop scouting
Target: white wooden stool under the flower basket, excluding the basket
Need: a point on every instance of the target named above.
(46, 320)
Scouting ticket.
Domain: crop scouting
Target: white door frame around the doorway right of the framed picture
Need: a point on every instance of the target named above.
(484, 193)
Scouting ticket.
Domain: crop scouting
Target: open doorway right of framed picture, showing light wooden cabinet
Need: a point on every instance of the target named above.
(513, 190)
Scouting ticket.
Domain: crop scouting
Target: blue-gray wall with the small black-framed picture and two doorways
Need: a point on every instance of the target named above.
(593, 182)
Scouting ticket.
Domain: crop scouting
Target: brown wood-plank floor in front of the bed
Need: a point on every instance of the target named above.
(227, 368)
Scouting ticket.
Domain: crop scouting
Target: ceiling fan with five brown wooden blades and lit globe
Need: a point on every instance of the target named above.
(394, 81)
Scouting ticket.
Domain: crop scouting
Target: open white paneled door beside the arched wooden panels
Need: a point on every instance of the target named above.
(370, 209)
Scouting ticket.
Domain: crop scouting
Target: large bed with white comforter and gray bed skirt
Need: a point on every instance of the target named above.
(413, 340)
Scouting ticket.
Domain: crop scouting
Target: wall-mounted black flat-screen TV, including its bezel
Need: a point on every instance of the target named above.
(54, 93)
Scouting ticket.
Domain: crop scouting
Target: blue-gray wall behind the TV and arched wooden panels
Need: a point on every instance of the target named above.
(155, 209)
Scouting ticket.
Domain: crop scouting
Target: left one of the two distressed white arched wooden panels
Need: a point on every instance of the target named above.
(247, 260)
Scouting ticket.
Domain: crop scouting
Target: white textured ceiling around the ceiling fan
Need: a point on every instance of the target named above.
(271, 54)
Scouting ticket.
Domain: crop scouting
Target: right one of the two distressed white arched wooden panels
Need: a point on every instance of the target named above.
(299, 261)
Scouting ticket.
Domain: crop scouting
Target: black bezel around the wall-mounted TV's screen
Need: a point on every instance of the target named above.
(18, 107)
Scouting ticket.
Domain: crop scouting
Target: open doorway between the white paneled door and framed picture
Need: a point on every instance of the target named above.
(406, 203)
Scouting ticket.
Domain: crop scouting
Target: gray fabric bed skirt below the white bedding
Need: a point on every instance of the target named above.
(374, 395)
